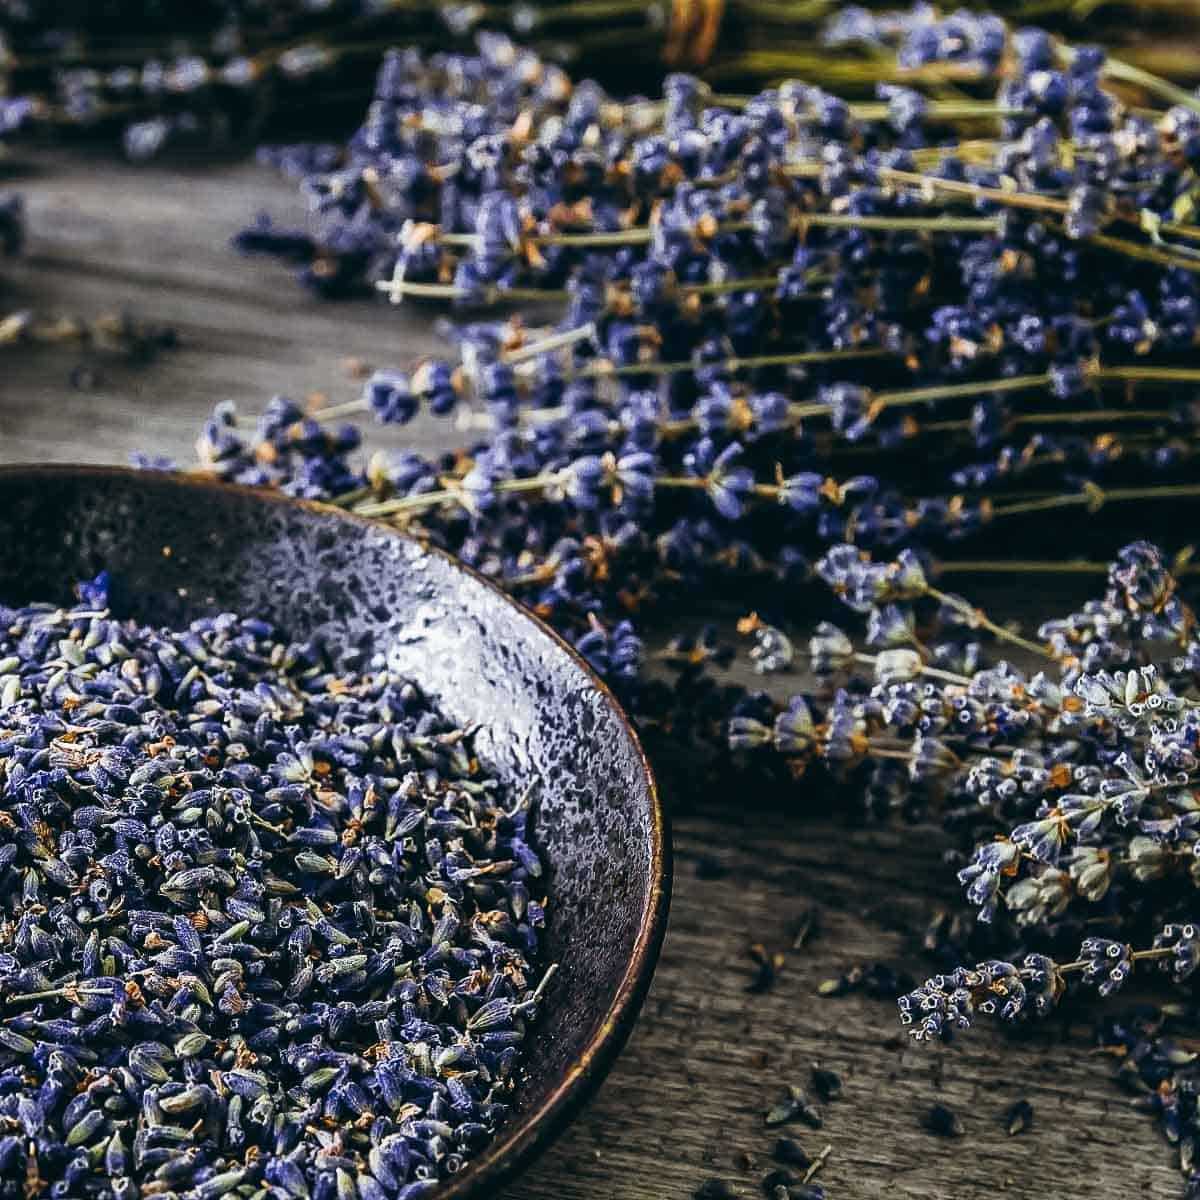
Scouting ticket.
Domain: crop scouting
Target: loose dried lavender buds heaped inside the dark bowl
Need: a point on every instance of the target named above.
(266, 928)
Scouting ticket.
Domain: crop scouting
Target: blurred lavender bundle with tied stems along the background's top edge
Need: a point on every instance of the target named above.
(157, 74)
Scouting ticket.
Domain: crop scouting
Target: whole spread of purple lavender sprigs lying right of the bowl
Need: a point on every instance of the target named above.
(809, 347)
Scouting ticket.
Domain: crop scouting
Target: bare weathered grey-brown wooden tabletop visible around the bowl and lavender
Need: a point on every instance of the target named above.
(687, 1099)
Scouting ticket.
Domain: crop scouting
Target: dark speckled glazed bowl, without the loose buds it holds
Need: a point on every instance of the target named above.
(178, 549)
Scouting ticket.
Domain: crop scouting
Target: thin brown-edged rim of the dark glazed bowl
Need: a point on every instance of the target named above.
(529, 1135)
